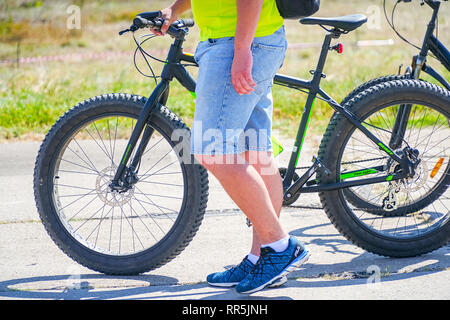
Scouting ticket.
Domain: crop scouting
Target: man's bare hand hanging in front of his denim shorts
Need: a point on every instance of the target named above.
(241, 71)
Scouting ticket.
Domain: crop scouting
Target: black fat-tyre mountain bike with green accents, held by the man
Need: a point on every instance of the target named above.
(118, 190)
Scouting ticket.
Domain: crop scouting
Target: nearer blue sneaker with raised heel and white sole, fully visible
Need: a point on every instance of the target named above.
(273, 266)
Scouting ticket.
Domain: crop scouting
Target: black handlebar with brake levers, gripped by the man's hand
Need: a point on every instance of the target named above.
(153, 20)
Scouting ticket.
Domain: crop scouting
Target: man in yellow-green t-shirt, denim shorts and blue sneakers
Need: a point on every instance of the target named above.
(242, 46)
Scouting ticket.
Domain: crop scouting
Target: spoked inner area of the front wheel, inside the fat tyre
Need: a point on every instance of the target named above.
(106, 220)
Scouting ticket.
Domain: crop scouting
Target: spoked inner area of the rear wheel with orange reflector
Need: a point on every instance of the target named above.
(428, 131)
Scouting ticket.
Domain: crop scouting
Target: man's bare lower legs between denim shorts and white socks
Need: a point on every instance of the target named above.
(246, 186)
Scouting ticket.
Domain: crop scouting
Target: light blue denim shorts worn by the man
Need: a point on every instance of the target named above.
(224, 121)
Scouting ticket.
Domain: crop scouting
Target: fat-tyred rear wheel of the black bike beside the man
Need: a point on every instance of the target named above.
(420, 222)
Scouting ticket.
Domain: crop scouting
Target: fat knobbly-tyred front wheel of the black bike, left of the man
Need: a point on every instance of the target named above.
(127, 232)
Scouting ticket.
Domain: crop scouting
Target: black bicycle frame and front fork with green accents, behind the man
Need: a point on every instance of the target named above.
(173, 69)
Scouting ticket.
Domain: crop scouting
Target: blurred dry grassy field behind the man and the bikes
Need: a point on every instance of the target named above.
(56, 53)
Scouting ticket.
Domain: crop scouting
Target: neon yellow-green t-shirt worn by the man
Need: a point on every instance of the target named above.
(217, 18)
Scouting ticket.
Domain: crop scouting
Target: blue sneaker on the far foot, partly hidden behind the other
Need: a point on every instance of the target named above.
(236, 274)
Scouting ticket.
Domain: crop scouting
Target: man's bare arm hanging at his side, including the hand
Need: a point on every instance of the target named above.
(248, 13)
